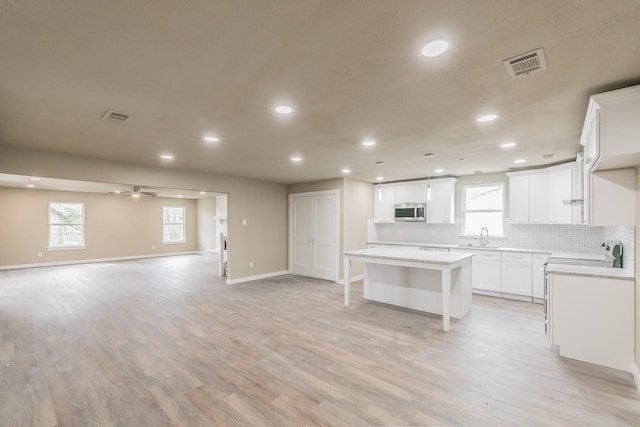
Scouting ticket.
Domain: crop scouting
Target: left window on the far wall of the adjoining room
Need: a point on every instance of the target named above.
(66, 225)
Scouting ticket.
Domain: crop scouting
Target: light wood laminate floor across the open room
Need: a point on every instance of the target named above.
(165, 342)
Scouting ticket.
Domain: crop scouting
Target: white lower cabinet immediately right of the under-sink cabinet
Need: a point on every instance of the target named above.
(517, 276)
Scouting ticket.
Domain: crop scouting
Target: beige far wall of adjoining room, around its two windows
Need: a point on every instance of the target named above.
(115, 226)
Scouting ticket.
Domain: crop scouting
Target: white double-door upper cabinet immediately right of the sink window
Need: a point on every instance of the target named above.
(529, 196)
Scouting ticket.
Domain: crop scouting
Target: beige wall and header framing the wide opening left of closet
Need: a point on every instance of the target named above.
(263, 240)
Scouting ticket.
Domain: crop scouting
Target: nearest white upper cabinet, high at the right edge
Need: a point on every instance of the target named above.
(611, 131)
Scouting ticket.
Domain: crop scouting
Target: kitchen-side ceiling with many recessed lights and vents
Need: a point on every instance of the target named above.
(352, 70)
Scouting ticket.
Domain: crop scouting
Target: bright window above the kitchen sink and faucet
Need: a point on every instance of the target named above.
(483, 206)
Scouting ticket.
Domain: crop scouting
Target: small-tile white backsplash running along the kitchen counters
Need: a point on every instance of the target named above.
(550, 237)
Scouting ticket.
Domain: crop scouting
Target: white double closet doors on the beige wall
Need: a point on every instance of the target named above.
(313, 235)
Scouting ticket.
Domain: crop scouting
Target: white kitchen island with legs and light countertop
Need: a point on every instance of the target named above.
(429, 281)
